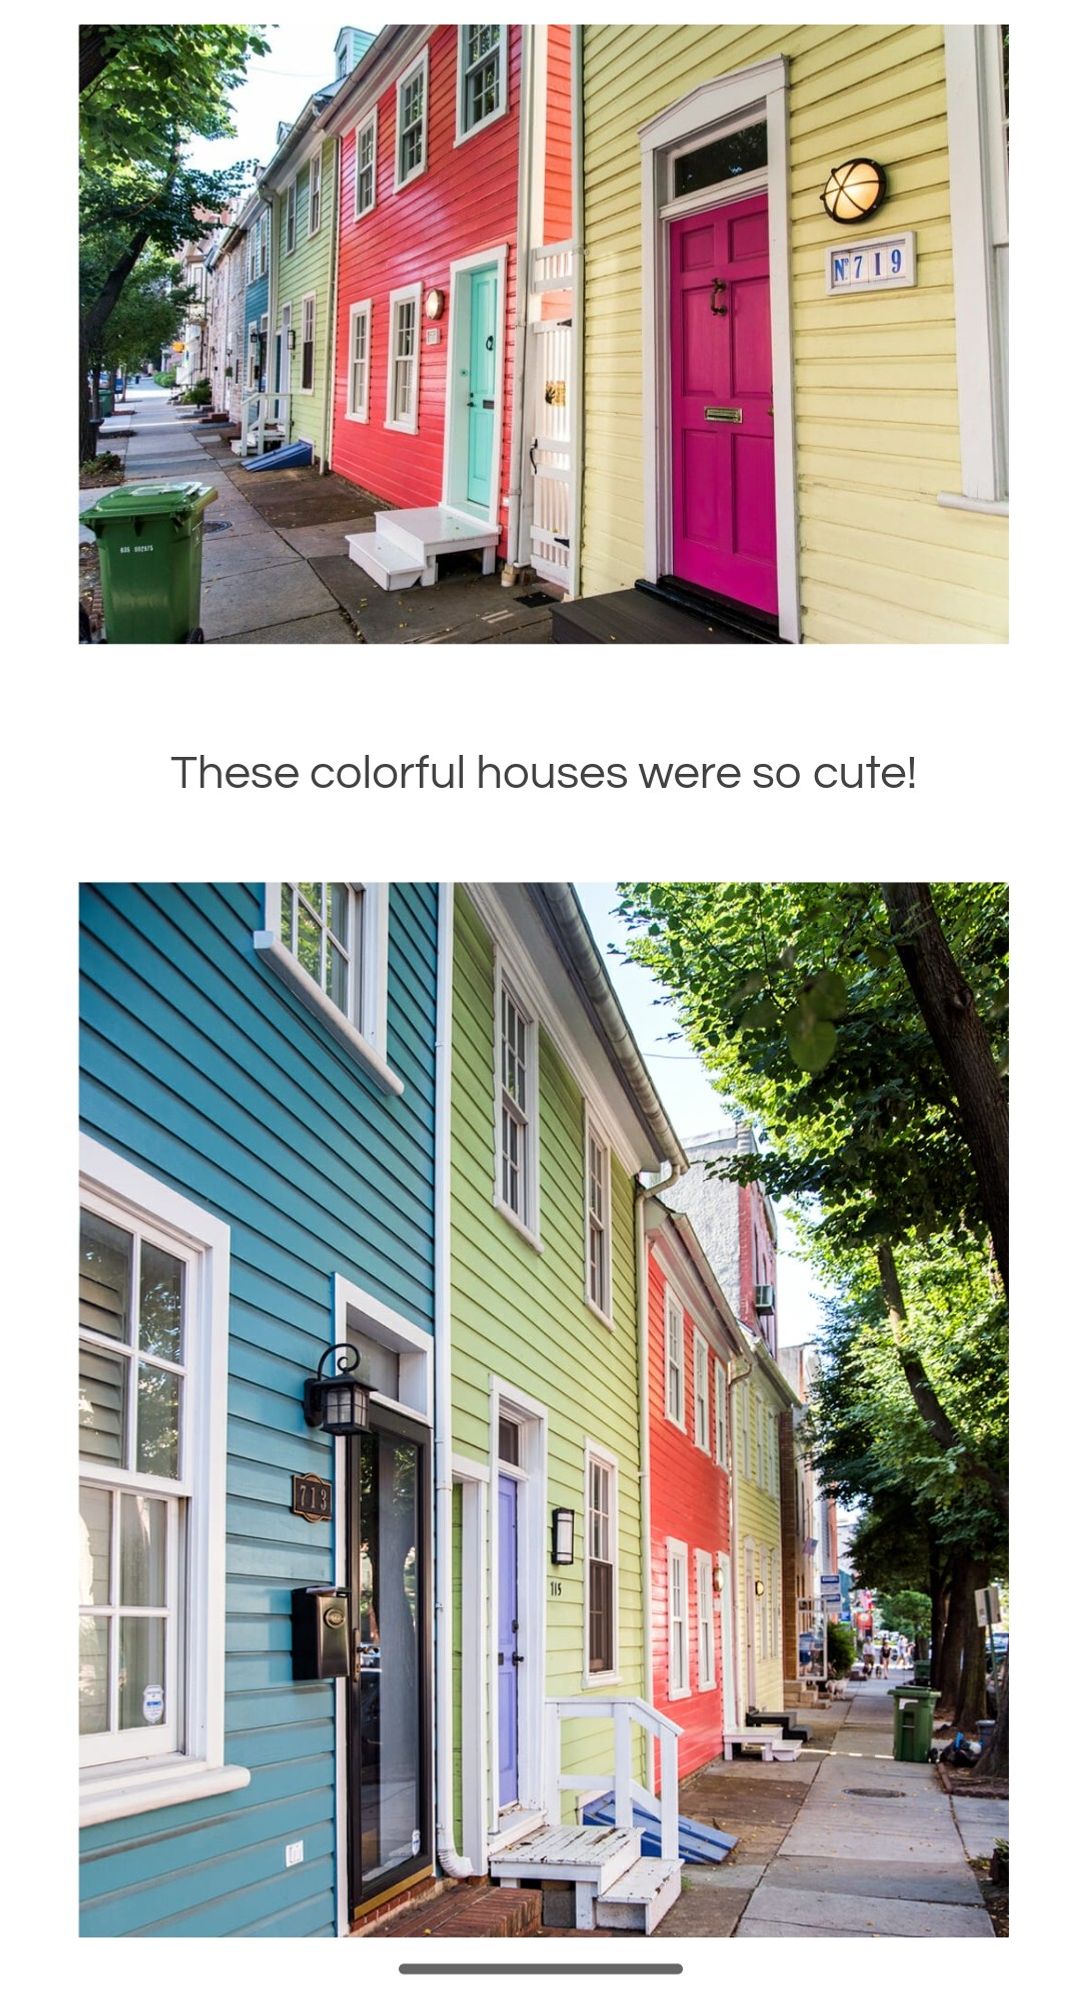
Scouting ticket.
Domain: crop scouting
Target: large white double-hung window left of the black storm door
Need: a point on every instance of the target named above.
(153, 1313)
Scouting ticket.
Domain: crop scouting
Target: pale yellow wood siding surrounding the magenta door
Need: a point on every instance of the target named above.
(876, 379)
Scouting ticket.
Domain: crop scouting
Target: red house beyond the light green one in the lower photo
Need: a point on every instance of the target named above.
(694, 1341)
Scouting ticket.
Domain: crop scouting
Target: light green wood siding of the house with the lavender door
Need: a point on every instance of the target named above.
(521, 1315)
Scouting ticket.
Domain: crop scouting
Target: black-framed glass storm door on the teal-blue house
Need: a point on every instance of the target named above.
(389, 1737)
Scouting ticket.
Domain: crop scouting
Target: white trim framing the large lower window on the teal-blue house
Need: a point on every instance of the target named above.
(119, 1791)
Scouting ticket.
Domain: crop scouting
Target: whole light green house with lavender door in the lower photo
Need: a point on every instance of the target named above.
(552, 1121)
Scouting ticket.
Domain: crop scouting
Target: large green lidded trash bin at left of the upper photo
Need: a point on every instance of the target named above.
(151, 553)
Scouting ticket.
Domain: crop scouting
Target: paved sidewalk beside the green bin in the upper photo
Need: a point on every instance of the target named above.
(275, 567)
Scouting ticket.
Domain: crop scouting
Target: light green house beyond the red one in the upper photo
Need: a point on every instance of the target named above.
(301, 185)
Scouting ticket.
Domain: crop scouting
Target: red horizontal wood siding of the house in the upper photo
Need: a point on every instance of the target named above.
(463, 203)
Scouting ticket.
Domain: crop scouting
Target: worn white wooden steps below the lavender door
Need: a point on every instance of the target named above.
(614, 1885)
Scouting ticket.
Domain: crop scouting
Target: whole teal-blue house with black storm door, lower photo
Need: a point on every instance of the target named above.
(259, 1185)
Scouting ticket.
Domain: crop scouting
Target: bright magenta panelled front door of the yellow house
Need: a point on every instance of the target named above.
(724, 487)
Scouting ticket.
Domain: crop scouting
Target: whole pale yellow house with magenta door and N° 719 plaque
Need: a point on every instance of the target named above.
(792, 307)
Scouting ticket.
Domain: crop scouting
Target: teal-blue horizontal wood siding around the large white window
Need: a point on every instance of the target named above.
(205, 1071)
